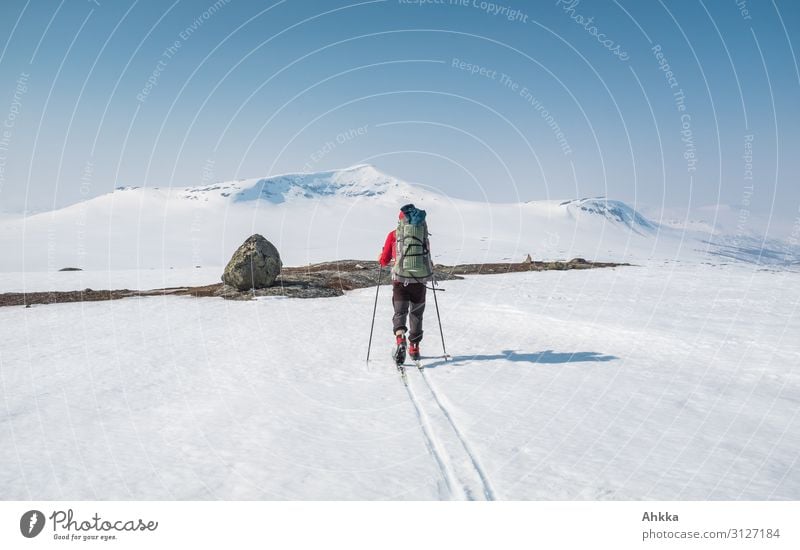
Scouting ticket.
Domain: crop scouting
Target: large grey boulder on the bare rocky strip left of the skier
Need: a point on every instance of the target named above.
(255, 264)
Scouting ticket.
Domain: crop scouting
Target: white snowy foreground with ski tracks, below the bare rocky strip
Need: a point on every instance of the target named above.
(670, 381)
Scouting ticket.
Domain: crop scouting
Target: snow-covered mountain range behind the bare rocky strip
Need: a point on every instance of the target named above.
(340, 214)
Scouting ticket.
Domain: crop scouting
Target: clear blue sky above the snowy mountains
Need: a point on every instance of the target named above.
(507, 100)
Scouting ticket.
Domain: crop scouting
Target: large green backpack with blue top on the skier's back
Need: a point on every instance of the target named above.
(412, 256)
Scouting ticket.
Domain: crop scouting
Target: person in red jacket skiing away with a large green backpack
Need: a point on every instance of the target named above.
(409, 247)
